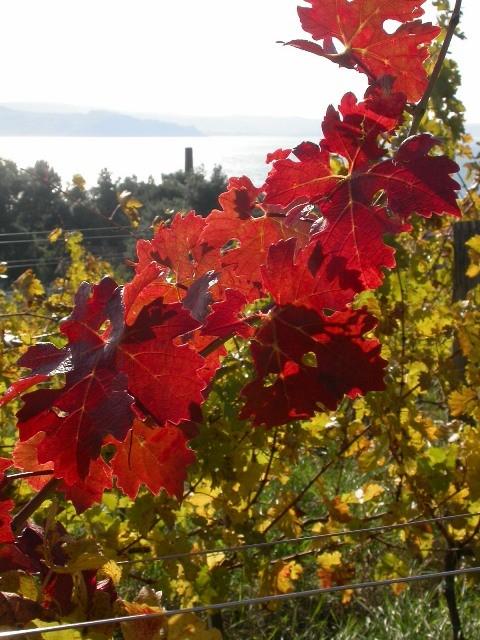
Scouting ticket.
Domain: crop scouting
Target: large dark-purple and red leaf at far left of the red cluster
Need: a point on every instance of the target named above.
(103, 361)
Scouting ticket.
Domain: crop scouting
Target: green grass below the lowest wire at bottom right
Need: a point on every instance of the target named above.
(416, 614)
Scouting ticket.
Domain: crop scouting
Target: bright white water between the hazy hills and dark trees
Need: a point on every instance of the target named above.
(145, 157)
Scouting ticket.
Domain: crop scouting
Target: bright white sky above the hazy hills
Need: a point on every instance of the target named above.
(209, 57)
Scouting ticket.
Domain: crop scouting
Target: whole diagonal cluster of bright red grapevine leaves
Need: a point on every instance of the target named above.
(139, 360)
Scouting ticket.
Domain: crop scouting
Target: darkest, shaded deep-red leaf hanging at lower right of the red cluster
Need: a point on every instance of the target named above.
(305, 360)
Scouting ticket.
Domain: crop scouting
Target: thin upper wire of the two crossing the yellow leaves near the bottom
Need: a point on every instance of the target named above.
(316, 536)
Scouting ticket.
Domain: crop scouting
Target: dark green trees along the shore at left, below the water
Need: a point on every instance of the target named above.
(34, 203)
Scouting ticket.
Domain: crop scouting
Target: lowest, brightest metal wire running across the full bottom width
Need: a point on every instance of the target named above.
(241, 603)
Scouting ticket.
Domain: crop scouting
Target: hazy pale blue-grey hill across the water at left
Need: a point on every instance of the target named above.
(16, 122)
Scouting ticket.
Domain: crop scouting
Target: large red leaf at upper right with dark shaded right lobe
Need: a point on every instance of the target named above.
(354, 227)
